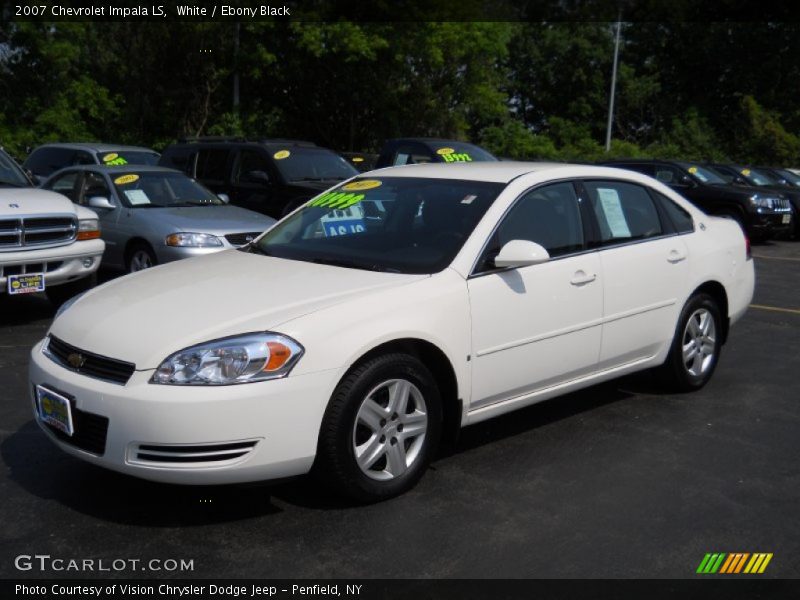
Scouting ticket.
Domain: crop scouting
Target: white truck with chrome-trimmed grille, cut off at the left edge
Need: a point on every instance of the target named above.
(46, 242)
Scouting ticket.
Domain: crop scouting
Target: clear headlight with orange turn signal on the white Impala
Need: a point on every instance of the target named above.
(239, 359)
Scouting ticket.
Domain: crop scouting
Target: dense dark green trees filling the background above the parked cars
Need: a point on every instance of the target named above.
(525, 90)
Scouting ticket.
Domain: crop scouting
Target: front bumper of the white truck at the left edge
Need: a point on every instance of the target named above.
(61, 264)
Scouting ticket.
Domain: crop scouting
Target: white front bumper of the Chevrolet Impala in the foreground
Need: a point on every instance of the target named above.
(191, 434)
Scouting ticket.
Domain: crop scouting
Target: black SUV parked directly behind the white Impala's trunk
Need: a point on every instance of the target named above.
(762, 214)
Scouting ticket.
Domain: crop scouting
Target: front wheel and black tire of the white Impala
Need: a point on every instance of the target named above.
(336, 464)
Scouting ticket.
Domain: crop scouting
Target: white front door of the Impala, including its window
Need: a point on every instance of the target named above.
(537, 326)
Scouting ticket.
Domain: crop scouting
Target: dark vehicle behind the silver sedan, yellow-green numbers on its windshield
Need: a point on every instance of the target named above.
(49, 158)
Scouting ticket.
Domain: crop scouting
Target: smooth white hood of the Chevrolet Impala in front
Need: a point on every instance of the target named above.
(144, 317)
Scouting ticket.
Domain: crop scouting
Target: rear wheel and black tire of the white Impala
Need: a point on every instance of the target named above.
(677, 374)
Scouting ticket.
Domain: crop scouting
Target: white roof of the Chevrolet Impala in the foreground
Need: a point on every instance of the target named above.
(500, 172)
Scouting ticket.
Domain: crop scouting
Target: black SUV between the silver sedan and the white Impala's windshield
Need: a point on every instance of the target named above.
(270, 176)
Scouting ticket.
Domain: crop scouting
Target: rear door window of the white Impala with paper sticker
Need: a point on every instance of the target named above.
(624, 211)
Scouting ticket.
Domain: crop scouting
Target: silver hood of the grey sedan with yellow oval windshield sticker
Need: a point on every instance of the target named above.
(212, 219)
